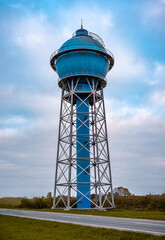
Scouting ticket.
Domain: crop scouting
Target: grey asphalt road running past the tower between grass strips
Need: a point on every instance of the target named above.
(137, 225)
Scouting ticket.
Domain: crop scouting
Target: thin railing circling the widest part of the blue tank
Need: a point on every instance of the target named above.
(81, 47)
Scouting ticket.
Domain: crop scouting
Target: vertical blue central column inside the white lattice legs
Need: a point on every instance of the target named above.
(83, 154)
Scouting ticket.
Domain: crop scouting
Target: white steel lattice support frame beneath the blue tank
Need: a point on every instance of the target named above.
(67, 162)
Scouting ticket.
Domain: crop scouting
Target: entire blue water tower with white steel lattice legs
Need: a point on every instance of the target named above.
(83, 173)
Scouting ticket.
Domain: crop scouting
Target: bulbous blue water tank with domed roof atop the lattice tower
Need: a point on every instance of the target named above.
(83, 54)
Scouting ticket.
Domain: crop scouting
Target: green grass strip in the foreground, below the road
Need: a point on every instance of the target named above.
(31, 229)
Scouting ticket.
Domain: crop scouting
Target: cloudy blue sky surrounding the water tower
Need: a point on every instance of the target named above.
(30, 31)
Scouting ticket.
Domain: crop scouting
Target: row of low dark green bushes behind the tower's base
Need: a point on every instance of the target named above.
(148, 202)
